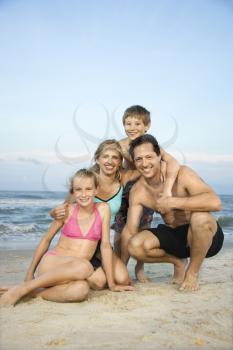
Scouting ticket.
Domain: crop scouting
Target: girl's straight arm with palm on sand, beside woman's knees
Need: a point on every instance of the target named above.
(106, 250)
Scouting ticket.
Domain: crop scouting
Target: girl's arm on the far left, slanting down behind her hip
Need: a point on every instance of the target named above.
(42, 248)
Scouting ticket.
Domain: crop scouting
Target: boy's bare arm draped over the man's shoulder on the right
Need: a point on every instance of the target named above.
(172, 169)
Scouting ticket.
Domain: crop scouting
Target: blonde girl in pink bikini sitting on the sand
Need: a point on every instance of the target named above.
(65, 272)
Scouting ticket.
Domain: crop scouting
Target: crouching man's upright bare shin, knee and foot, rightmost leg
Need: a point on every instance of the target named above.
(201, 231)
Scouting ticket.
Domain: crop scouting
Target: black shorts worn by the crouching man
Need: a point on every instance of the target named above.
(174, 240)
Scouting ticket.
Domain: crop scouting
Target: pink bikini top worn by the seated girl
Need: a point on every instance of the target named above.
(72, 229)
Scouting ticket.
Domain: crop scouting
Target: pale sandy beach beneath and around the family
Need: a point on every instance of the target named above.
(155, 316)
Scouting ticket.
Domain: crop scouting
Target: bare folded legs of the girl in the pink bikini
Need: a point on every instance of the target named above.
(63, 279)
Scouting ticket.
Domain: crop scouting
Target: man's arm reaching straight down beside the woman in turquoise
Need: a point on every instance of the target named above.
(131, 228)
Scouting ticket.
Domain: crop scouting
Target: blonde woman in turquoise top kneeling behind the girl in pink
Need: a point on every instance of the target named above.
(111, 179)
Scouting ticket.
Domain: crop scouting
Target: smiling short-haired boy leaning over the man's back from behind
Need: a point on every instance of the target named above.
(136, 121)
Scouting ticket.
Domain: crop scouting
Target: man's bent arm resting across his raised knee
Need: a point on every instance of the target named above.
(200, 197)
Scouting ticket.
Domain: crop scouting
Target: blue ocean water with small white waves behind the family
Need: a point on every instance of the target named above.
(24, 216)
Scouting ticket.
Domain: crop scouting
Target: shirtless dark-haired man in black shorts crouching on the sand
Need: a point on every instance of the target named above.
(189, 230)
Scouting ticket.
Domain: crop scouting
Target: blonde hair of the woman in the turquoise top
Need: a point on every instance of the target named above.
(110, 144)
